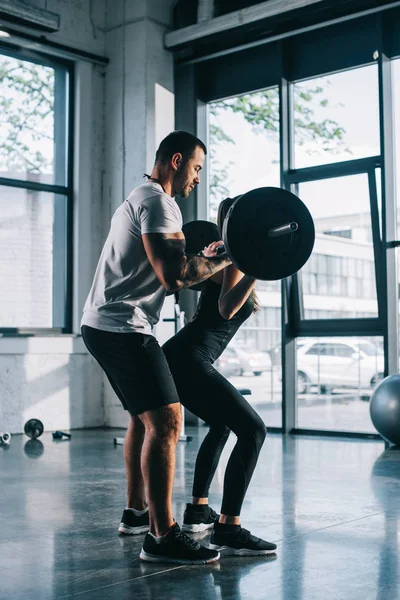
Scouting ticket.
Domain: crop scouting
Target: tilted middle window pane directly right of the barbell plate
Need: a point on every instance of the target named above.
(340, 274)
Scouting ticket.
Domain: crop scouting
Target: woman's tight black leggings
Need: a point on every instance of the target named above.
(207, 394)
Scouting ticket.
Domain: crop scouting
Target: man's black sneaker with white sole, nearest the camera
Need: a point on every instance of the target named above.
(176, 547)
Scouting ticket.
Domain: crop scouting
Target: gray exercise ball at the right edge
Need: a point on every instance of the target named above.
(385, 409)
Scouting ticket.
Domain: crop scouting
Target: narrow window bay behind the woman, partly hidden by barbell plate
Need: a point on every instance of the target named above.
(244, 154)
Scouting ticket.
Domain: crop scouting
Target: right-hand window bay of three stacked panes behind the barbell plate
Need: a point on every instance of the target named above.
(336, 376)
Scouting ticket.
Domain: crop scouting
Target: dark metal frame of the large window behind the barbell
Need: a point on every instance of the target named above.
(282, 60)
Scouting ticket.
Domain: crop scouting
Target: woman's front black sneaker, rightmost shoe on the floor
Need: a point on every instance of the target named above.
(239, 542)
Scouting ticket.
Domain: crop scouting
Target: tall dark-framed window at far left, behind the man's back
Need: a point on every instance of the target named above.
(35, 194)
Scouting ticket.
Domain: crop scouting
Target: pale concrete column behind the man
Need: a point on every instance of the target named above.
(139, 113)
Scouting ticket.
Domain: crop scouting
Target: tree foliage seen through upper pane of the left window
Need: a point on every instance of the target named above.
(27, 116)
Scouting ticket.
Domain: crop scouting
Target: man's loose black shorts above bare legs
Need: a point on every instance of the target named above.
(135, 366)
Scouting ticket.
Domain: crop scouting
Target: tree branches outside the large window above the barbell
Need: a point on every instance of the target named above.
(261, 111)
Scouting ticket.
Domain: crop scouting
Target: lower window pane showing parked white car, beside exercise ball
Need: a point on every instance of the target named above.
(335, 381)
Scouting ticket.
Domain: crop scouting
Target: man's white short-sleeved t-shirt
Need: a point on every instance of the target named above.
(126, 294)
